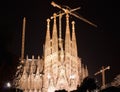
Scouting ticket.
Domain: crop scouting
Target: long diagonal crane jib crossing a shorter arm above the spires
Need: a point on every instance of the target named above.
(66, 11)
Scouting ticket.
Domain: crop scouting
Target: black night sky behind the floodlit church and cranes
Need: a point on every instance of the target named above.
(96, 46)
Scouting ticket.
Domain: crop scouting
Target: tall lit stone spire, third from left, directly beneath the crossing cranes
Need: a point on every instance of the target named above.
(67, 36)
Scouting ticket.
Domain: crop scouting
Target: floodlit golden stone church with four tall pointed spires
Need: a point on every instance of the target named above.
(59, 68)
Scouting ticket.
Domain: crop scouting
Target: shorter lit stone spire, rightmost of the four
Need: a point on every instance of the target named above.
(74, 45)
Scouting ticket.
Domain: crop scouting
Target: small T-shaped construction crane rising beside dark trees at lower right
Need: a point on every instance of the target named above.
(102, 71)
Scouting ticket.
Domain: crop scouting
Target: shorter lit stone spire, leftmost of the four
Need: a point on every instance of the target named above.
(47, 41)
